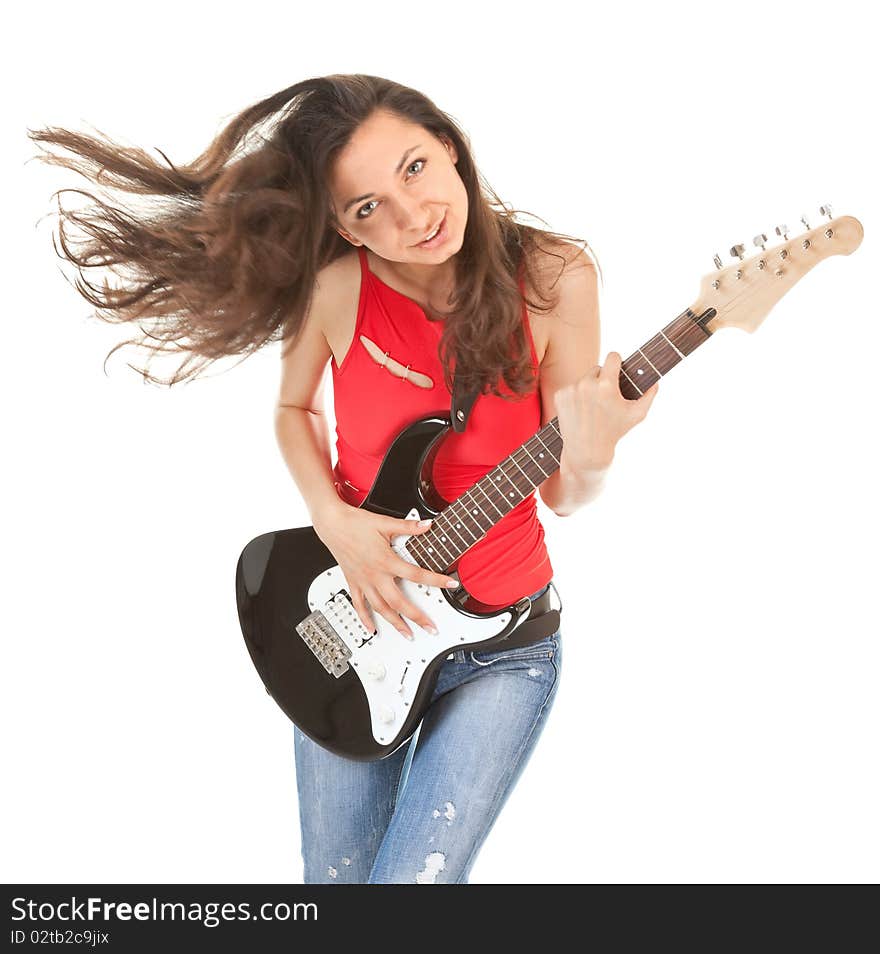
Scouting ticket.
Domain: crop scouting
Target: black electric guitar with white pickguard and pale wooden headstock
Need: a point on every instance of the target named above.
(362, 694)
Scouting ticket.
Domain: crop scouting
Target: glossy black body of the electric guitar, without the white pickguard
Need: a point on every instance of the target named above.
(272, 580)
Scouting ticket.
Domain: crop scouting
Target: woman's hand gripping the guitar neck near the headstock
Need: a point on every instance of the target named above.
(593, 415)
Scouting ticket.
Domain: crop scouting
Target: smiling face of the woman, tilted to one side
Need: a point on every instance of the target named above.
(392, 184)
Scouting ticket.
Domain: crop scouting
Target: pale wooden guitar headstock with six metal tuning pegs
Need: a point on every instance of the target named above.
(742, 294)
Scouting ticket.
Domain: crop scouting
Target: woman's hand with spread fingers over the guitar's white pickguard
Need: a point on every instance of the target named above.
(360, 542)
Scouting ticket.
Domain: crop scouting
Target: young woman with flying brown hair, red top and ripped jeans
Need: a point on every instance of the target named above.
(359, 232)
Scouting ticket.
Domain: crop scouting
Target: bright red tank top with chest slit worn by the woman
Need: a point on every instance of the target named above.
(373, 405)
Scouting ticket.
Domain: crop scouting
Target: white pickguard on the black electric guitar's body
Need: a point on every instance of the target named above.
(390, 666)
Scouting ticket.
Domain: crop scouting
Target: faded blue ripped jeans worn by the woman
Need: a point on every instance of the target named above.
(421, 815)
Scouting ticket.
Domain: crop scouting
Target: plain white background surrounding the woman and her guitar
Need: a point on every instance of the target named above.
(717, 716)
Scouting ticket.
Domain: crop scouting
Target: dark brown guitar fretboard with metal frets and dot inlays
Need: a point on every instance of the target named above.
(468, 518)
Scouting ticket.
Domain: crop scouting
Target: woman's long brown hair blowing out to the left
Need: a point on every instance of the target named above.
(224, 257)
